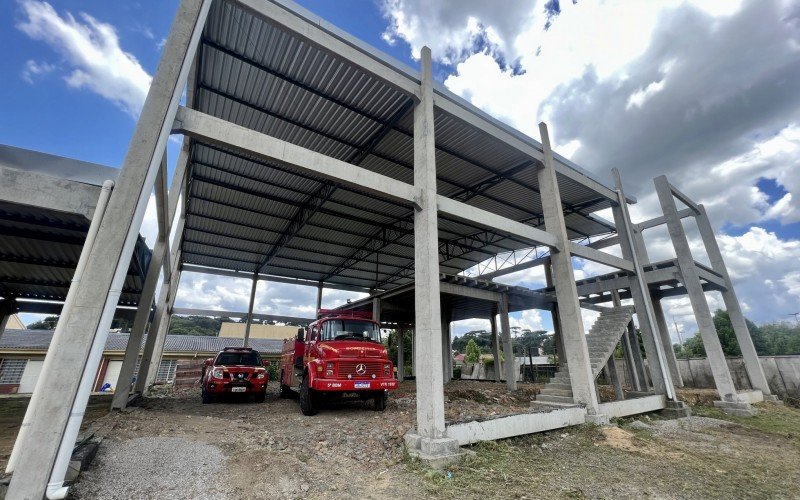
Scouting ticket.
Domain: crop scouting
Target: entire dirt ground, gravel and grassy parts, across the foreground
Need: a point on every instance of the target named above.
(175, 447)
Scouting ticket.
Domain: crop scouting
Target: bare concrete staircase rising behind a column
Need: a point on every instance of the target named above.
(601, 340)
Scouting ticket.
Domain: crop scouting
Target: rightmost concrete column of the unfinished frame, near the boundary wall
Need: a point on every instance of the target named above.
(751, 362)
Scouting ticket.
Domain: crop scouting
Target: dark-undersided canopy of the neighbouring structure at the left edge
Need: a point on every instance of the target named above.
(40, 244)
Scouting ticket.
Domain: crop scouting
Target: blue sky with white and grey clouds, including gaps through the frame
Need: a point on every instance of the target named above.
(704, 91)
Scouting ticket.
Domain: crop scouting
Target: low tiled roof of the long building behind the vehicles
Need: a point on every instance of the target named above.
(32, 340)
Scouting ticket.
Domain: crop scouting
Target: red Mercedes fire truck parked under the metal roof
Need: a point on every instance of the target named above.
(340, 354)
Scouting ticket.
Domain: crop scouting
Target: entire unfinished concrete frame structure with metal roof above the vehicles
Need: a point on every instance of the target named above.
(312, 159)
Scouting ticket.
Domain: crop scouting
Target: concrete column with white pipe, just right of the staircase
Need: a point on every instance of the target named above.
(656, 356)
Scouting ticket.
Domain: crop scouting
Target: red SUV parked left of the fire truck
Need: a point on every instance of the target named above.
(237, 371)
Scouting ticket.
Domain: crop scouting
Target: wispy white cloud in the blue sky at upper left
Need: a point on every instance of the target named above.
(92, 51)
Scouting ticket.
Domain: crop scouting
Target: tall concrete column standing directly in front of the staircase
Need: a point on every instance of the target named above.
(576, 351)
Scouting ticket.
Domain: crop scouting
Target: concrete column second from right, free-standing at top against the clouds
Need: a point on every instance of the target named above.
(691, 281)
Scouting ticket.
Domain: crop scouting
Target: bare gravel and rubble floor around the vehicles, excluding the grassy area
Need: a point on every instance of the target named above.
(180, 448)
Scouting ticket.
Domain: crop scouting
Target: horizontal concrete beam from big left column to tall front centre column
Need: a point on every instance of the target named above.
(211, 130)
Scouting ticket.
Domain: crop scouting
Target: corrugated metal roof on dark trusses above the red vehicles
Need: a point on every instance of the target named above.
(249, 215)
